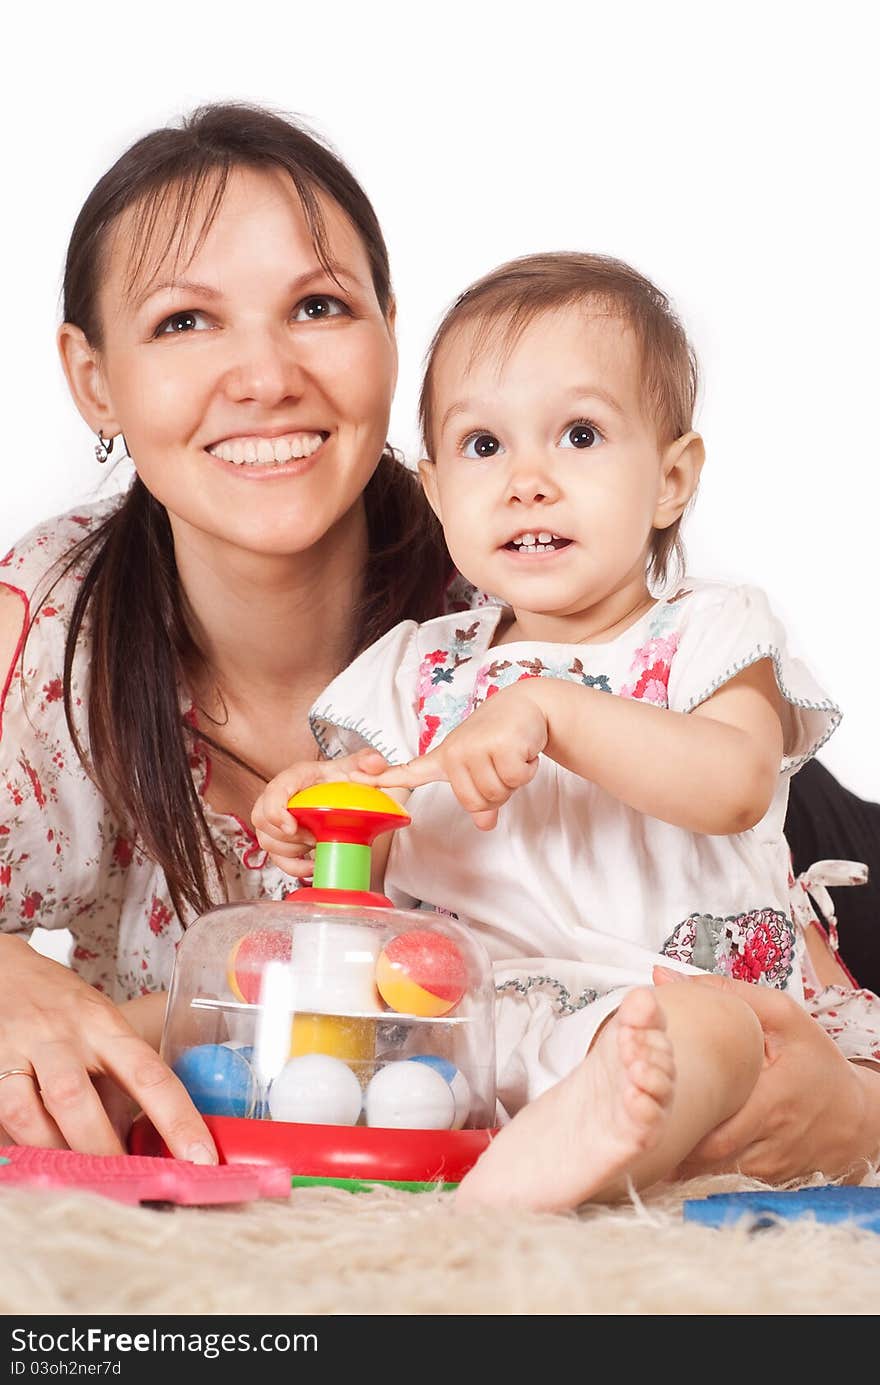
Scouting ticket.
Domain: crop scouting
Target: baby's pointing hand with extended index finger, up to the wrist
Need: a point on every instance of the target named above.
(486, 760)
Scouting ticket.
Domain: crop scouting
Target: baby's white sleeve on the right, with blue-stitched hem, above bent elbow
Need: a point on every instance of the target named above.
(725, 631)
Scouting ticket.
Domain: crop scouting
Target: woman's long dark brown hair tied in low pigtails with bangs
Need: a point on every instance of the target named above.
(130, 606)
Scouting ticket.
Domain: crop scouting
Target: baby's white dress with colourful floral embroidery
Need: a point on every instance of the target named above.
(574, 894)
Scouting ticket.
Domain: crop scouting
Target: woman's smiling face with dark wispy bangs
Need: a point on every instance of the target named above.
(253, 388)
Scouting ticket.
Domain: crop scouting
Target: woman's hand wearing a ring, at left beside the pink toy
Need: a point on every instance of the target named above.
(70, 1041)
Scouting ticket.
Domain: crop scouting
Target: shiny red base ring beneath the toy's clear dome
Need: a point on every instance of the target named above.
(362, 1153)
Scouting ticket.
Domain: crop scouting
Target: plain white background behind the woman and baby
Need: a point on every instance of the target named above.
(730, 154)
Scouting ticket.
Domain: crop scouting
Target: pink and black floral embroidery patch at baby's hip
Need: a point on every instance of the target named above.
(757, 947)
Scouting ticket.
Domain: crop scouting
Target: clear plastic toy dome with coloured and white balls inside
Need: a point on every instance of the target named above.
(335, 1016)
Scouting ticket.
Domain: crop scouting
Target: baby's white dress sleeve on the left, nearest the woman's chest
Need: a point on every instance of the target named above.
(373, 702)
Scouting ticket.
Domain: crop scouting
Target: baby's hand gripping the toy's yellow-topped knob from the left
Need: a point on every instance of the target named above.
(278, 830)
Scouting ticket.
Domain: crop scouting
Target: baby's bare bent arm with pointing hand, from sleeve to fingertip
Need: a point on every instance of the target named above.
(712, 771)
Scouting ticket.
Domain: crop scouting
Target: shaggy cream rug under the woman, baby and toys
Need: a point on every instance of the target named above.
(390, 1253)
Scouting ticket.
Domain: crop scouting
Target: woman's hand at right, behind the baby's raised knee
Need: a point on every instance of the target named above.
(811, 1107)
